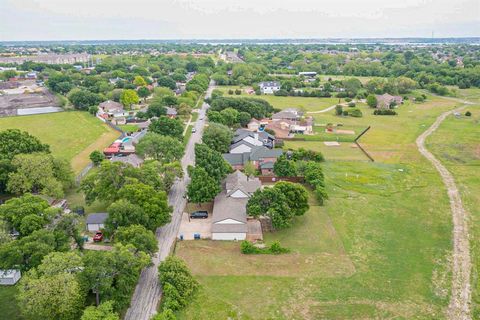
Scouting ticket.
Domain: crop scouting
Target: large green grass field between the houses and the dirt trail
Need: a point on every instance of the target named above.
(378, 249)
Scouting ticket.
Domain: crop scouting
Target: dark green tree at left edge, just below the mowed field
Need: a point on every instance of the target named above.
(14, 141)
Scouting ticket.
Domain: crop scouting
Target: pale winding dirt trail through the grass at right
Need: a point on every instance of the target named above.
(459, 306)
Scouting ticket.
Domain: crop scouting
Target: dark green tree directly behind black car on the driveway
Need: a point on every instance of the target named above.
(202, 187)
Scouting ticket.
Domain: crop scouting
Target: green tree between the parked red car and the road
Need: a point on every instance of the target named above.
(138, 236)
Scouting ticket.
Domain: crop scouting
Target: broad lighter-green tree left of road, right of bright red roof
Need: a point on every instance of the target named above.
(162, 148)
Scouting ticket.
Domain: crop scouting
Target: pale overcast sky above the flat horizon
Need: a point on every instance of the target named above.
(235, 19)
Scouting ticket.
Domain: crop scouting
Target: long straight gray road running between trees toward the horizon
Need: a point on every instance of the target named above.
(148, 292)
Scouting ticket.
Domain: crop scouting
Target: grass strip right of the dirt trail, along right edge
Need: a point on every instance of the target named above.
(456, 143)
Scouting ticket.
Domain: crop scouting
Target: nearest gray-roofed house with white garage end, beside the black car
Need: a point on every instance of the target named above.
(229, 218)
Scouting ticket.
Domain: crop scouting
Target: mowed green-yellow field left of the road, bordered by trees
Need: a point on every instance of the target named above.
(71, 135)
